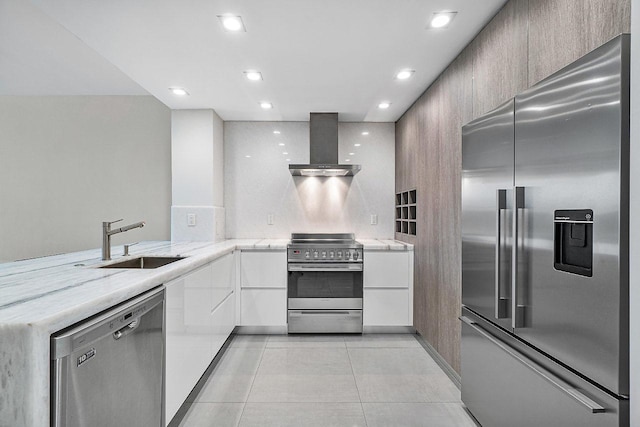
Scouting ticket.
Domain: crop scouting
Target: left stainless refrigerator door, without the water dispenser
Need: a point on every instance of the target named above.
(487, 182)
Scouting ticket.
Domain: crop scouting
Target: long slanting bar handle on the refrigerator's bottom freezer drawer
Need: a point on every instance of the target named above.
(585, 401)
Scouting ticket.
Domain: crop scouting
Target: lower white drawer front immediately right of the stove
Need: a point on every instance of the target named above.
(386, 307)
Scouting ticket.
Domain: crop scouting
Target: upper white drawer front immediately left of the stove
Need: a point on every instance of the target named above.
(264, 269)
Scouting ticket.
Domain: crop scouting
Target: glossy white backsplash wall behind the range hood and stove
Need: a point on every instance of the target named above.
(261, 185)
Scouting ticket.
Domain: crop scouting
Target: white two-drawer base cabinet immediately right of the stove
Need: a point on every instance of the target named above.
(388, 288)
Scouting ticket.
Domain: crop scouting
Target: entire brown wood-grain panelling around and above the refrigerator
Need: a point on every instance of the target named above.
(525, 42)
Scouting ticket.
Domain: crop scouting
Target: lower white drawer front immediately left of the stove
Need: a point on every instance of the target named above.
(264, 307)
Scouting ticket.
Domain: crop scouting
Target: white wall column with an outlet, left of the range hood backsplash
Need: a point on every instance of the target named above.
(197, 166)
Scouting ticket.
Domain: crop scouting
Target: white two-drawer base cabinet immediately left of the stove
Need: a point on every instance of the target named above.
(263, 298)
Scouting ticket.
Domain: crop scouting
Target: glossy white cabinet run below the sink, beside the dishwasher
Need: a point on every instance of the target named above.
(200, 315)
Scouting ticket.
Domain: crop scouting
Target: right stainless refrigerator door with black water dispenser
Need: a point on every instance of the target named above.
(571, 153)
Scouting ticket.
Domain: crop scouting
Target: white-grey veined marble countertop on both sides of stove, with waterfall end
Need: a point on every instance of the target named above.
(43, 295)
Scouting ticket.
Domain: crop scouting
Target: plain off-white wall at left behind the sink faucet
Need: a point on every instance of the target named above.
(67, 163)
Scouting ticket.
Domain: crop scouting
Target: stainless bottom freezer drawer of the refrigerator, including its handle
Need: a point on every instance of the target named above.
(506, 384)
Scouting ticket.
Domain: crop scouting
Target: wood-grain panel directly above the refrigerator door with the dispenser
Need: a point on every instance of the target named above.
(561, 31)
